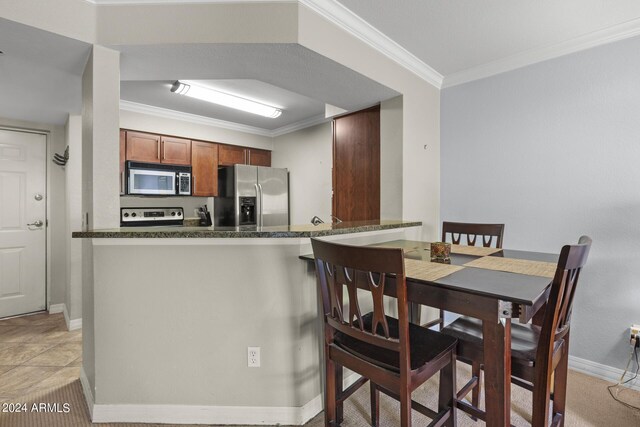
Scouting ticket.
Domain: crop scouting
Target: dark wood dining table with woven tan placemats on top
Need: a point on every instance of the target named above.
(493, 296)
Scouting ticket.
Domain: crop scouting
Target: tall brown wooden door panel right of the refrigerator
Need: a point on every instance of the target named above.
(356, 166)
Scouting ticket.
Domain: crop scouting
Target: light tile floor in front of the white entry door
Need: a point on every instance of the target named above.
(37, 353)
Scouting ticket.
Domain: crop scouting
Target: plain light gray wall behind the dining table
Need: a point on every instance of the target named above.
(552, 151)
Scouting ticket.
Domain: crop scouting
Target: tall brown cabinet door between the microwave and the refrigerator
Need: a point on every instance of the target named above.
(204, 168)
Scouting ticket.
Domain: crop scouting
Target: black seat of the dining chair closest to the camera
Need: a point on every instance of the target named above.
(426, 345)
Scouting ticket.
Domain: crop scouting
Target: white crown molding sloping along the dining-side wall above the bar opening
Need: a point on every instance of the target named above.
(362, 30)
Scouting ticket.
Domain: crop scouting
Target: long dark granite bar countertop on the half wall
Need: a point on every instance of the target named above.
(307, 230)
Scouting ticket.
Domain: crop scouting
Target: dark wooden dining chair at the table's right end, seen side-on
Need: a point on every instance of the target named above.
(538, 352)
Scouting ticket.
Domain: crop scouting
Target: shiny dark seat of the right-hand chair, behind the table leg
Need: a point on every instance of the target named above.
(524, 337)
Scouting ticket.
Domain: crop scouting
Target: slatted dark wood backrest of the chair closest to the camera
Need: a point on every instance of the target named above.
(361, 268)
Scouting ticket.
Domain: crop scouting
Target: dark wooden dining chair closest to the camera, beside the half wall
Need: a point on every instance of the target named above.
(393, 354)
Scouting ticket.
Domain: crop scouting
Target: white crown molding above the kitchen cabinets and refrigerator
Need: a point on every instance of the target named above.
(208, 121)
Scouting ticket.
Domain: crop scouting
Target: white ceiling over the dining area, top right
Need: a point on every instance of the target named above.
(452, 36)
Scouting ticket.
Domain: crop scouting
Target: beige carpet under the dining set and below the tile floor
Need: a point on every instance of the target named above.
(588, 401)
